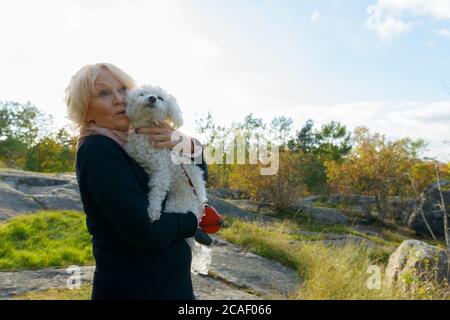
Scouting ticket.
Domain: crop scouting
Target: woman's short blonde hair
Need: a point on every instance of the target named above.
(81, 88)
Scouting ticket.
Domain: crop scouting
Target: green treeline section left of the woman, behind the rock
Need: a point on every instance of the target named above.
(27, 141)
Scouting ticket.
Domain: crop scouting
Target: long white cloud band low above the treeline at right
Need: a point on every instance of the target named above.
(430, 122)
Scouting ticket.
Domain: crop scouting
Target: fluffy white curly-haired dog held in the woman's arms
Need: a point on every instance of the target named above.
(146, 106)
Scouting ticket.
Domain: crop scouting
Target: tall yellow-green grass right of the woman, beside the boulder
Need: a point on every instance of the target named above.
(329, 272)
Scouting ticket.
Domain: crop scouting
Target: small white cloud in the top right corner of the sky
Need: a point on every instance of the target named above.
(390, 18)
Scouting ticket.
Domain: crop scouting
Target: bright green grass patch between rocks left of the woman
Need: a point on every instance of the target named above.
(44, 239)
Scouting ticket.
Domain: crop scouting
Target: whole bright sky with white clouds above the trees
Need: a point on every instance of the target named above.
(383, 64)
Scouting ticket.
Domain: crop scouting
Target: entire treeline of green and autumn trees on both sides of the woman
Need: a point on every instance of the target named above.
(320, 161)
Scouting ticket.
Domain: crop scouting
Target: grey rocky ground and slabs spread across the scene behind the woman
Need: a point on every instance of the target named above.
(233, 271)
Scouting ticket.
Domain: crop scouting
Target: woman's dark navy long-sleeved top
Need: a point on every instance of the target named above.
(135, 259)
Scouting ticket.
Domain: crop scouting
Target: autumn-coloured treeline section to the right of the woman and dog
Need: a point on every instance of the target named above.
(322, 161)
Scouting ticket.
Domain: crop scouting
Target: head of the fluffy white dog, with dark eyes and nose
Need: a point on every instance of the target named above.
(147, 104)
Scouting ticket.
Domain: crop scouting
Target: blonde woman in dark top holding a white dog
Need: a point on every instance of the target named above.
(135, 259)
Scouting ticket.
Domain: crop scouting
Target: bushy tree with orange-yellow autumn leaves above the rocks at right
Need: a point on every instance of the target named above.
(379, 168)
